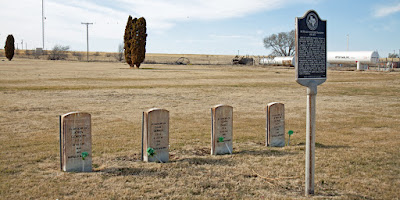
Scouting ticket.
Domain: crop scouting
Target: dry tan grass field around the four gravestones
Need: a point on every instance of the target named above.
(357, 142)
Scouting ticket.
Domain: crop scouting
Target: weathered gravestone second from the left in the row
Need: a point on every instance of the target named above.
(155, 135)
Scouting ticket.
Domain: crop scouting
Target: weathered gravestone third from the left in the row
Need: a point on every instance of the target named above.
(221, 129)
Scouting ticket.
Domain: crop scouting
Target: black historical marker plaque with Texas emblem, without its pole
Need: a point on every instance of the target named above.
(310, 49)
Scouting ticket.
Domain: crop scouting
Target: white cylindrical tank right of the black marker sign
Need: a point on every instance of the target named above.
(353, 57)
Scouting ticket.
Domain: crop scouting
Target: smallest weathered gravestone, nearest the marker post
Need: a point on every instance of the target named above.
(275, 134)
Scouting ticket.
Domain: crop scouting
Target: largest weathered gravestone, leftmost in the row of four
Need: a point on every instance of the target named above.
(76, 142)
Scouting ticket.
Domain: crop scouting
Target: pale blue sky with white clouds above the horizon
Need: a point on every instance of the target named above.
(199, 26)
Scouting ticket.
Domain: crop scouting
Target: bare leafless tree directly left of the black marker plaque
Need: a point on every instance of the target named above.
(282, 44)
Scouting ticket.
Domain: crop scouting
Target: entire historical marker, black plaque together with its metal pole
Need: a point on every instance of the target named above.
(310, 72)
